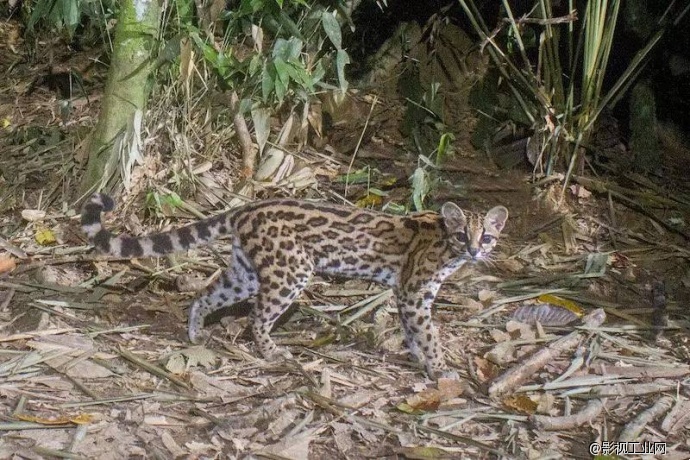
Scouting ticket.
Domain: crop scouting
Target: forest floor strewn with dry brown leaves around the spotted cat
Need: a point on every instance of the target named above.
(95, 362)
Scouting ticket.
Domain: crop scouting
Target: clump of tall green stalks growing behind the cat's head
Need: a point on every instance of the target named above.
(548, 74)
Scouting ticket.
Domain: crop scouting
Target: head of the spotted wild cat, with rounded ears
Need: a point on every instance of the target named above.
(473, 235)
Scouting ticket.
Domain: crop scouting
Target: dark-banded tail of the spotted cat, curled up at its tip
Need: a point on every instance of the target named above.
(146, 246)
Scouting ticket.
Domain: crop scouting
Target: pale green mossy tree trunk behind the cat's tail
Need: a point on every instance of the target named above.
(113, 145)
